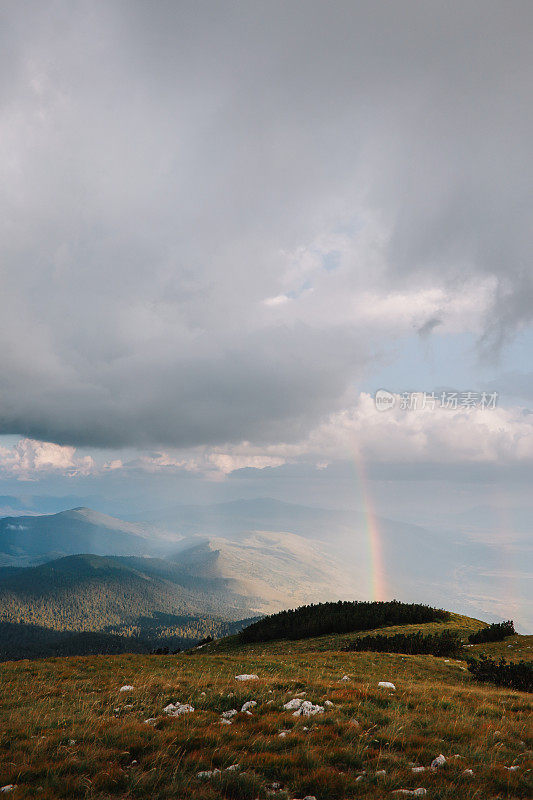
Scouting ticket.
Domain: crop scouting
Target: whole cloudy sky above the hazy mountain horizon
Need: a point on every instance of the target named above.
(225, 226)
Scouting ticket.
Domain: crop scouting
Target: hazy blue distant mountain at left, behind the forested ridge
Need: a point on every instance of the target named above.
(28, 540)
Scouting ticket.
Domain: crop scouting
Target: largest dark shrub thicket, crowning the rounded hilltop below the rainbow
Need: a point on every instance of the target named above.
(341, 617)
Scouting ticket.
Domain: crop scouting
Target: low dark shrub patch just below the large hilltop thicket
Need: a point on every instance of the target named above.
(446, 643)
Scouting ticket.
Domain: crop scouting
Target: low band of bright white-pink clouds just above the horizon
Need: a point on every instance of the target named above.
(452, 438)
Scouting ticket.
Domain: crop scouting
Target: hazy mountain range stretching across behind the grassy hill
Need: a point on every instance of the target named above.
(186, 571)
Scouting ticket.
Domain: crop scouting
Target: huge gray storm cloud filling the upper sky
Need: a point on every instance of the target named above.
(160, 163)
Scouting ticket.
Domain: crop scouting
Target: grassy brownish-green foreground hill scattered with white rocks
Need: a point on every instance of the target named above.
(69, 730)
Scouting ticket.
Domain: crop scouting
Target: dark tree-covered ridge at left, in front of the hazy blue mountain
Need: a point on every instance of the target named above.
(91, 604)
